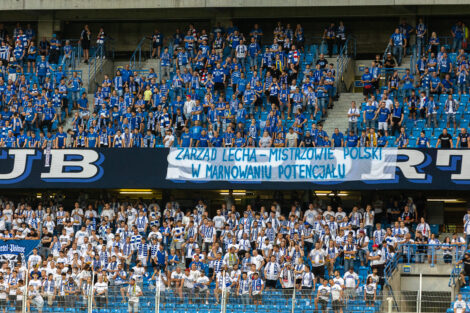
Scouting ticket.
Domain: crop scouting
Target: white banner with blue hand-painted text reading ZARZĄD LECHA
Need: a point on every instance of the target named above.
(281, 164)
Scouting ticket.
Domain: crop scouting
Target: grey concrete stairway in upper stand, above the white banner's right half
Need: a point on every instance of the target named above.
(338, 116)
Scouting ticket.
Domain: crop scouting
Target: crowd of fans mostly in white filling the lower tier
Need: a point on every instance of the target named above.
(243, 250)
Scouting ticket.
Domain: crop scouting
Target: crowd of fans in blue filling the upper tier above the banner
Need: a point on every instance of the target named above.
(224, 88)
